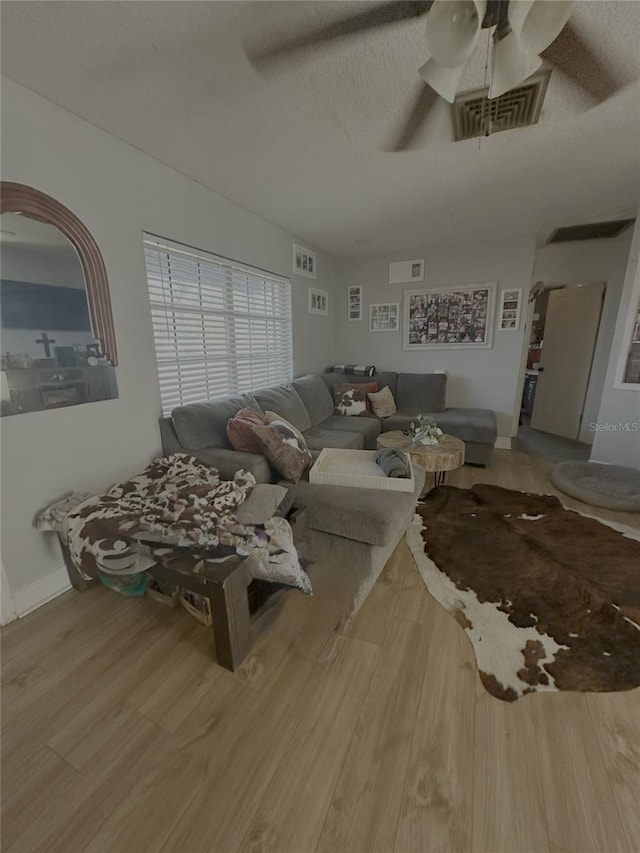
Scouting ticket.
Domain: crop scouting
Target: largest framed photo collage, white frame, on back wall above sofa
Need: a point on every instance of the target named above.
(452, 317)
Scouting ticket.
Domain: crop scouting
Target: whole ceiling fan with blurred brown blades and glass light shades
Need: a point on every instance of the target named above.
(524, 33)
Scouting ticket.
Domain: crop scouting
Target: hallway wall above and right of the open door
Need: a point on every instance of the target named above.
(587, 263)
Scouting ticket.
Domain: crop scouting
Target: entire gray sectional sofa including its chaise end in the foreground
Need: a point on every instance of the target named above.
(347, 533)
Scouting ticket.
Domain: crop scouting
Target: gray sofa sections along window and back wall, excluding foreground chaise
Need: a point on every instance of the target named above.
(308, 403)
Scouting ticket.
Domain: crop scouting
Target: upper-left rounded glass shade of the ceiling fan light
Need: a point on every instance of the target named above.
(453, 27)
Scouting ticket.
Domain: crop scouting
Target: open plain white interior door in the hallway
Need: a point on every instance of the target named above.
(570, 332)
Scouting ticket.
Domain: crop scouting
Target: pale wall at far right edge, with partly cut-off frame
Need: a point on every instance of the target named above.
(618, 440)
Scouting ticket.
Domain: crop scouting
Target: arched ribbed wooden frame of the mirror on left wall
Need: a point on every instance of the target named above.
(19, 198)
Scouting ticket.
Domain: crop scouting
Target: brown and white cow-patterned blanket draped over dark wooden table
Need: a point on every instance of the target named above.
(177, 503)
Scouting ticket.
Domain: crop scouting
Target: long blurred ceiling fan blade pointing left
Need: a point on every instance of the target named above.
(380, 16)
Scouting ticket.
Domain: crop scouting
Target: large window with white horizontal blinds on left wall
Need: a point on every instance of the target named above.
(219, 326)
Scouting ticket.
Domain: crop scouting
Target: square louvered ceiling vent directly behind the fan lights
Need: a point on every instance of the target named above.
(475, 115)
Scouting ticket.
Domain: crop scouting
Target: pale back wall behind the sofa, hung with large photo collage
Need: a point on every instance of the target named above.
(486, 378)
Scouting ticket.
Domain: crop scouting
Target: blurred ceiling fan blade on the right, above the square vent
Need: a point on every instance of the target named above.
(571, 55)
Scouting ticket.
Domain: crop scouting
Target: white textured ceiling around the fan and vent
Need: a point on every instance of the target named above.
(302, 146)
